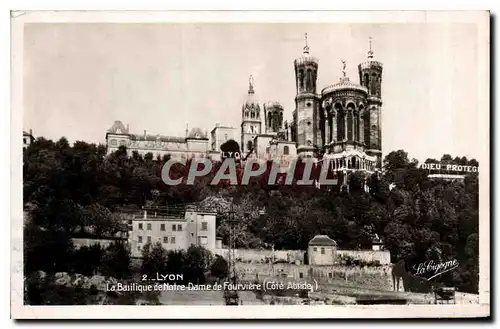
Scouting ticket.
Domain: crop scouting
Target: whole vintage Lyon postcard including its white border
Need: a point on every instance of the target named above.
(250, 165)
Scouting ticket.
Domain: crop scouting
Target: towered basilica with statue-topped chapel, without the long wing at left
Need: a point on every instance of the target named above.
(340, 125)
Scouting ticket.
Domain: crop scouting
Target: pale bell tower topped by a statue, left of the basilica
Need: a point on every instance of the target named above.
(250, 120)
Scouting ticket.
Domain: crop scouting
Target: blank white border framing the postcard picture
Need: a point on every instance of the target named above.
(19, 310)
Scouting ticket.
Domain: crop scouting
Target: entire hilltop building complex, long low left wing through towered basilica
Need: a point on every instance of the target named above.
(341, 124)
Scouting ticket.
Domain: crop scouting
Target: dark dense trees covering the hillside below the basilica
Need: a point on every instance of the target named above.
(73, 189)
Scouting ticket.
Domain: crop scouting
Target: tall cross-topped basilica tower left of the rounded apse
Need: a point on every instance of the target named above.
(306, 113)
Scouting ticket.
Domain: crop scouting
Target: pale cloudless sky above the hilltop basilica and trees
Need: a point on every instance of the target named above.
(81, 77)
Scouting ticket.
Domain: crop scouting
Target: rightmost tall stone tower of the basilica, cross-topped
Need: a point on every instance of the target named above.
(370, 76)
